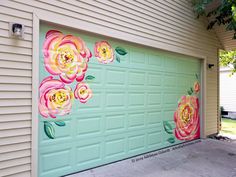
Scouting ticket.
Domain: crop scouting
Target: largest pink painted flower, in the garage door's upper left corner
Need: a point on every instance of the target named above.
(66, 56)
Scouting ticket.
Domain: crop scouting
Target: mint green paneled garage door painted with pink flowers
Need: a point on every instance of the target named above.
(102, 100)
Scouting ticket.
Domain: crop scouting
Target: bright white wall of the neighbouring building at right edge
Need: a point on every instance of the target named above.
(227, 90)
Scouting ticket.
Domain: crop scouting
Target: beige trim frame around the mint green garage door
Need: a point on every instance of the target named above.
(40, 16)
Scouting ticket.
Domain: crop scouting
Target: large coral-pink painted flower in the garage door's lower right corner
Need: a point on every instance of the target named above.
(186, 118)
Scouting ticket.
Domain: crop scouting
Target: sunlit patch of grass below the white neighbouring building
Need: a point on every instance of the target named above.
(228, 126)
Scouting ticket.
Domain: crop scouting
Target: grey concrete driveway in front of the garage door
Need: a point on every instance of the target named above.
(200, 158)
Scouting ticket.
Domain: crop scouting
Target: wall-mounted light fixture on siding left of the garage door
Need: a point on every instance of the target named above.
(16, 30)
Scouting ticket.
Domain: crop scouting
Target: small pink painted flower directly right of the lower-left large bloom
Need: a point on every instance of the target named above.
(83, 92)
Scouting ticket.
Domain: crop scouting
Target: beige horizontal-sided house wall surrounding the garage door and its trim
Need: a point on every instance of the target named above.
(168, 25)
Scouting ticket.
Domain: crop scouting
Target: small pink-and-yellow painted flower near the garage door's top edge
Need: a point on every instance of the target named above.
(103, 52)
